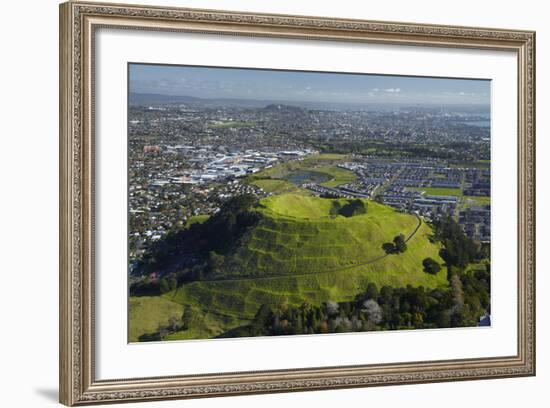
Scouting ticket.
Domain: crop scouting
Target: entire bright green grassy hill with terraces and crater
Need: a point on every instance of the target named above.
(302, 250)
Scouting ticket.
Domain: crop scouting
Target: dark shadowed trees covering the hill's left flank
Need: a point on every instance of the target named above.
(196, 252)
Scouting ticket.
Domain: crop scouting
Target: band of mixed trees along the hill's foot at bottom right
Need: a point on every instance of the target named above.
(389, 308)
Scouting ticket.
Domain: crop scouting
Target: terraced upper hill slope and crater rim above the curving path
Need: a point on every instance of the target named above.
(301, 235)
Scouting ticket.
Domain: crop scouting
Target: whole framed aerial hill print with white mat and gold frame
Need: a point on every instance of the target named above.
(260, 203)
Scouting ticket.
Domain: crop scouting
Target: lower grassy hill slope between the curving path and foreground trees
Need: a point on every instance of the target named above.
(243, 297)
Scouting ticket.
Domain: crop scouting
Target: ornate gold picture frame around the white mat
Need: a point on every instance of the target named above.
(78, 24)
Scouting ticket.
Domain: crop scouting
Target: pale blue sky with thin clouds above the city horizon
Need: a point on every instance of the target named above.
(305, 86)
